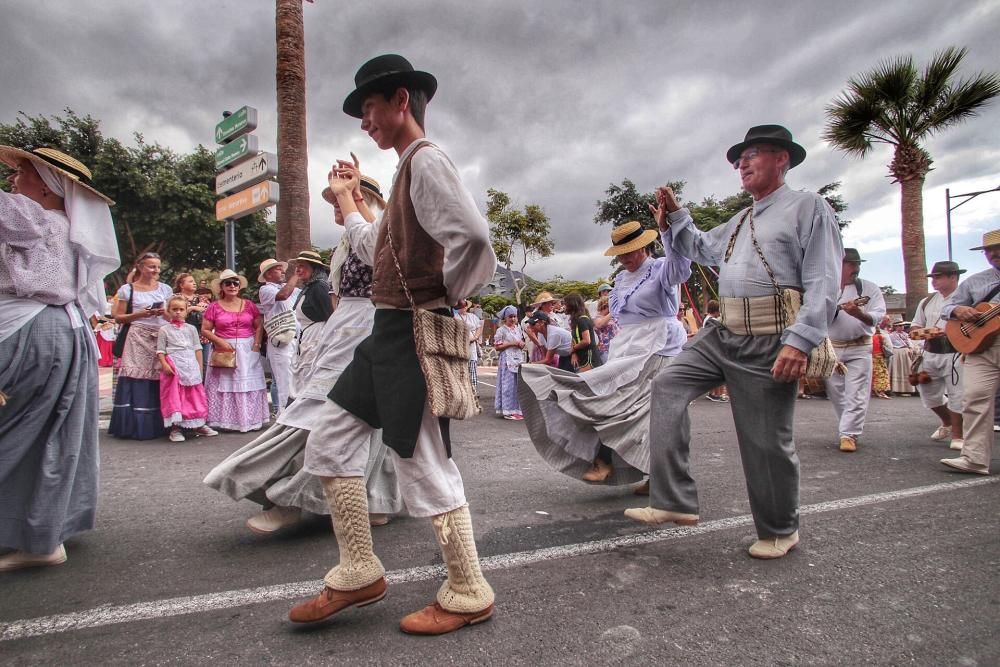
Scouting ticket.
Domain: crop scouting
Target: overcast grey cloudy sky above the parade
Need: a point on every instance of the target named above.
(550, 101)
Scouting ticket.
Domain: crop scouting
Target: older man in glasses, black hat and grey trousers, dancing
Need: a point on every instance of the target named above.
(756, 352)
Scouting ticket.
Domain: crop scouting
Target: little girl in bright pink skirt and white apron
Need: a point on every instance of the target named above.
(182, 396)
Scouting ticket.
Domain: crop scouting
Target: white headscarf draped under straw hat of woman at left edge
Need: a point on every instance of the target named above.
(92, 233)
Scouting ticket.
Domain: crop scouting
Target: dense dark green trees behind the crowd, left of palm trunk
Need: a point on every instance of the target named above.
(165, 201)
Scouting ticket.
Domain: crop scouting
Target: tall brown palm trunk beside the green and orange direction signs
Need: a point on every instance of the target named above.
(293, 206)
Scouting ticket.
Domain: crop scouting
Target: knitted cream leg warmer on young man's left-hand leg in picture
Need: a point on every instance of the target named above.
(359, 566)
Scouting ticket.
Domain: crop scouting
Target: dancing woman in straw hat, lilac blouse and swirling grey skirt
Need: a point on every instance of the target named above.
(595, 425)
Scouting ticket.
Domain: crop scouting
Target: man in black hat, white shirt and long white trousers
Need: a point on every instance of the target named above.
(851, 332)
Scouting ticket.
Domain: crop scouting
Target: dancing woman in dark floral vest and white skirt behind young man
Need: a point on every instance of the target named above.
(268, 470)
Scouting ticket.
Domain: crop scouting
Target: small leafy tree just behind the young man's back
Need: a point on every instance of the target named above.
(517, 234)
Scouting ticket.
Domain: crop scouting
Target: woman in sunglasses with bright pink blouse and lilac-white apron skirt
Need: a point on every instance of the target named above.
(237, 397)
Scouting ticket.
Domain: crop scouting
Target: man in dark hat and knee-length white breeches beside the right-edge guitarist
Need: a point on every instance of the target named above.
(943, 394)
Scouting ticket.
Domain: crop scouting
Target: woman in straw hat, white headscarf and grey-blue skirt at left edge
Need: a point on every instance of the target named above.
(59, 244)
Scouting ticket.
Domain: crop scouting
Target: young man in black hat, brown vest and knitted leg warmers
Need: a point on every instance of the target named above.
(443, 249)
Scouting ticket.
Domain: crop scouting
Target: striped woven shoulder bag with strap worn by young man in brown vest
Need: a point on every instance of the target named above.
(443, 352)
